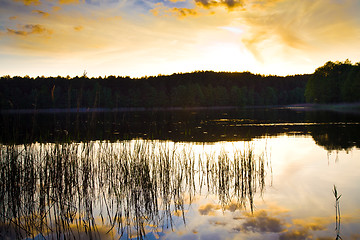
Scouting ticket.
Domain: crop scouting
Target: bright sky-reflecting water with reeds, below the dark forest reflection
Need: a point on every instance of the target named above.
(156, 189)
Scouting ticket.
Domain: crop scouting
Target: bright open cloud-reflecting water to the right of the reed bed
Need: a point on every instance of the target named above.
(298, 202)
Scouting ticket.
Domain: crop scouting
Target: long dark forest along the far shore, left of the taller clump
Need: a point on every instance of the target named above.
(197, 89)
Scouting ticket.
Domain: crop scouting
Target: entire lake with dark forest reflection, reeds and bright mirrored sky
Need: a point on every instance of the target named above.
(186, 174)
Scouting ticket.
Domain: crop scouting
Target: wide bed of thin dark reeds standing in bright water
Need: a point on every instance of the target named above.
(126, 189)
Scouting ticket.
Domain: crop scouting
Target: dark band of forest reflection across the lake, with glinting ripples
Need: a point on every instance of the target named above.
(331, 130)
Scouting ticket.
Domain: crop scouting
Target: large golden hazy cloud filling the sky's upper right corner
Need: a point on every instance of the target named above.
(301, 26)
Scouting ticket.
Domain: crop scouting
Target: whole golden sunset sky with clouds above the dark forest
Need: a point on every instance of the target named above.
(139, 38)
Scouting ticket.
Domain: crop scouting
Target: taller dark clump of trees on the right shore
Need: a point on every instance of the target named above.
(334, 82)
